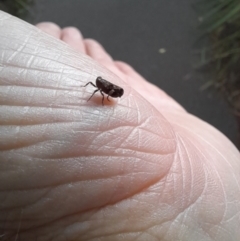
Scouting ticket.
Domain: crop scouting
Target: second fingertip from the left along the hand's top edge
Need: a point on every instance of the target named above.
(74, 38)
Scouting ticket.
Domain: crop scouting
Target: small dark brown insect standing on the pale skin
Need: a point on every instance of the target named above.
(106, 87)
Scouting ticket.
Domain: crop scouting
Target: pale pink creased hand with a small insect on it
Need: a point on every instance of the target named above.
(138, 168)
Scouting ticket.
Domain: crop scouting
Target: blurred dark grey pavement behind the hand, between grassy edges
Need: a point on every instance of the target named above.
(133, 31)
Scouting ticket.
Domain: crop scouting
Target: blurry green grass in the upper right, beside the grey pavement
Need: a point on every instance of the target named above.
(220, 24)
